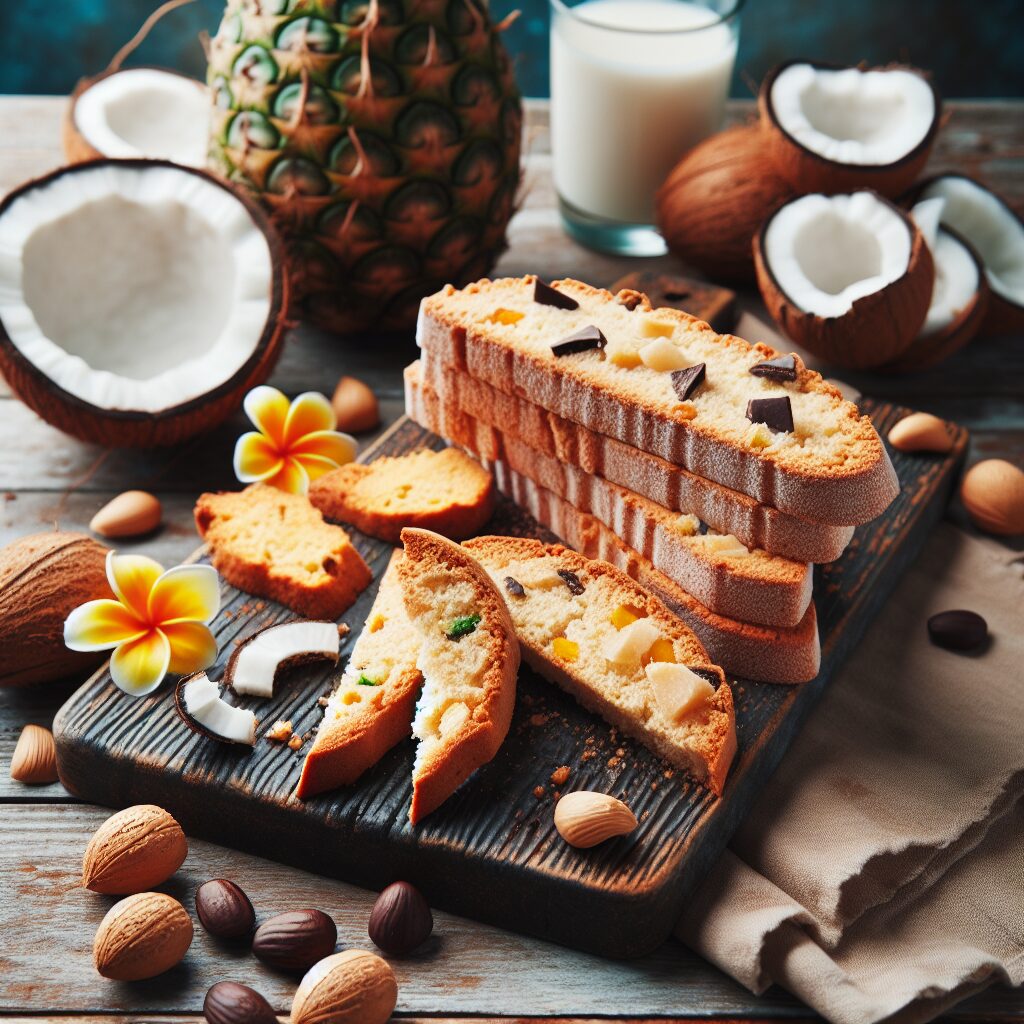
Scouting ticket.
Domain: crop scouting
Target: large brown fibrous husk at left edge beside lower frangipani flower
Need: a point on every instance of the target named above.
(42, 579)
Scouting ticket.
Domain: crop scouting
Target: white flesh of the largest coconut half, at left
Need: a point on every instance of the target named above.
(134, 288)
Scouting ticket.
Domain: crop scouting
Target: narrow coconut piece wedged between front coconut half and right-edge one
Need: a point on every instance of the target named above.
(960, 295)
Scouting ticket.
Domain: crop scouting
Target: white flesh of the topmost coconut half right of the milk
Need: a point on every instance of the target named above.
(863, 118)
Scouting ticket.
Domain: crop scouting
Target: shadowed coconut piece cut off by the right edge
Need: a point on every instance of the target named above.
(988, 224)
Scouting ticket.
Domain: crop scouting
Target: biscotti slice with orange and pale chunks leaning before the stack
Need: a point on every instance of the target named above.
(618, 650)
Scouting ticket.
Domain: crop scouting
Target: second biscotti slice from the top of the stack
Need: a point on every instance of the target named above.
(728, 511)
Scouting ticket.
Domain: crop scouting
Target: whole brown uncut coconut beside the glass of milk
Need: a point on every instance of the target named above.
(716, 198)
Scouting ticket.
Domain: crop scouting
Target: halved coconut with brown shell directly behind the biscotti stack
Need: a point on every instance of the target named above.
(847, 277)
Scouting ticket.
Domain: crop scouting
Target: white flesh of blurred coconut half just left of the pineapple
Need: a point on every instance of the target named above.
(147, 113)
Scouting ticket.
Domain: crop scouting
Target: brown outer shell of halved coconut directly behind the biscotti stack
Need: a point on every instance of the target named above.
(878, 328)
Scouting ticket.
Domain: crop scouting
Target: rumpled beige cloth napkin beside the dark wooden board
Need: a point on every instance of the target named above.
(881, 875)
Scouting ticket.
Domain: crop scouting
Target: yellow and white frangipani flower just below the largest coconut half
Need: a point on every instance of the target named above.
(293, 444)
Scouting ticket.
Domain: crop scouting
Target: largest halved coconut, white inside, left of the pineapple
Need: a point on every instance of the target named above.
(140, 301)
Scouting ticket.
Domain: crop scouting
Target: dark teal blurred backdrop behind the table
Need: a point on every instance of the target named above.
(974, 48)
